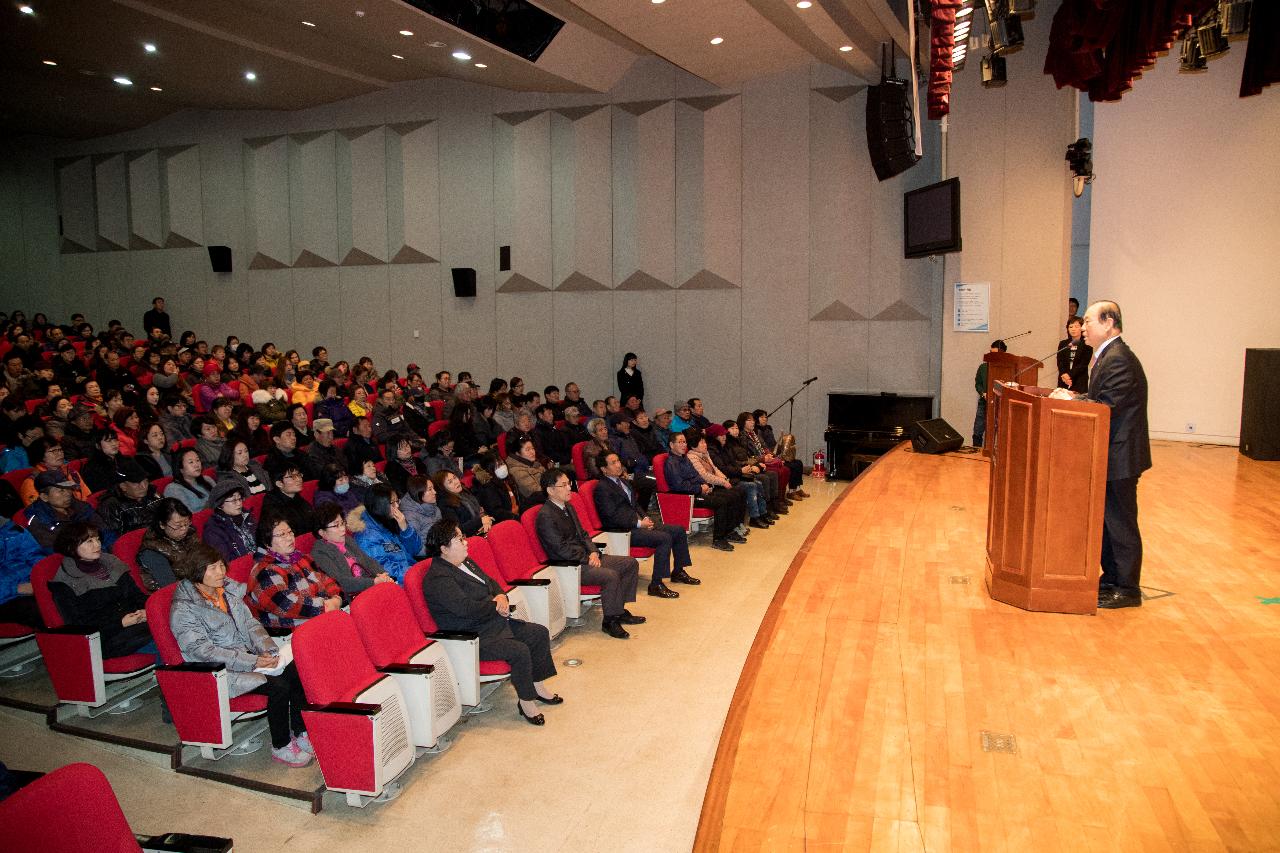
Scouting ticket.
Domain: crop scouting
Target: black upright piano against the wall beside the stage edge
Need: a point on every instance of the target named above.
(863, 427)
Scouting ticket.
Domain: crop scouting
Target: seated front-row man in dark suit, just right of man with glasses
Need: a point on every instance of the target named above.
(616, 505)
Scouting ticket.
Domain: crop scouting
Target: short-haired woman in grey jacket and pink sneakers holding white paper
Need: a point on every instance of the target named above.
(213, 624)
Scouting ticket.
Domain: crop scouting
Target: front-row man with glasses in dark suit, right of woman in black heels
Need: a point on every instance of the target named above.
(566, 542)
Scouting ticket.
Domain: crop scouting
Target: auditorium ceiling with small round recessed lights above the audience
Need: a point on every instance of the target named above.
(207, 47)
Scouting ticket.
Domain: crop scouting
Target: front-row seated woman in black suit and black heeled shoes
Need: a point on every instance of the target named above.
(464, 599)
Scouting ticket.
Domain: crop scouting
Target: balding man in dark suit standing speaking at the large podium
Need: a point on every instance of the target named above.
(1117, 380)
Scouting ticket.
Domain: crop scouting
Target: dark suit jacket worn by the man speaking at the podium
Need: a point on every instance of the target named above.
(1119, 382)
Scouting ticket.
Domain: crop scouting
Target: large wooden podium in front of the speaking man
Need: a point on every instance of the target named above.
(1049, 480)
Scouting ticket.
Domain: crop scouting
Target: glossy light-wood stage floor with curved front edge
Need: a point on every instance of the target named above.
(861, 717)
